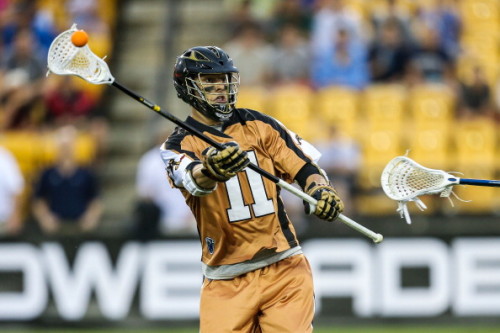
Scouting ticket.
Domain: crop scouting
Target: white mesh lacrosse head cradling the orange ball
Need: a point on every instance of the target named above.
(64, 58)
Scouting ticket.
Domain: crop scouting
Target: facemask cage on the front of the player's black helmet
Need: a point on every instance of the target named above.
(214, 95)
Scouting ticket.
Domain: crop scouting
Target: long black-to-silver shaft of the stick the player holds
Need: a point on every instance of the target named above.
(377, 238)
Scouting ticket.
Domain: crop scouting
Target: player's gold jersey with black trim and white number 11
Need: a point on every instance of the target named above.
(244, 215)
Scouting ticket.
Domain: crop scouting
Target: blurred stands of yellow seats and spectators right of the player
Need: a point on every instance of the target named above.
(390, 63)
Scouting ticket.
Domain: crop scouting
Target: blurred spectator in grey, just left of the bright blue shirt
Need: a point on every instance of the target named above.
(291, 61)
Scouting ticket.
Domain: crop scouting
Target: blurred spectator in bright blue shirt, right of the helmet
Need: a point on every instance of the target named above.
(345, 64)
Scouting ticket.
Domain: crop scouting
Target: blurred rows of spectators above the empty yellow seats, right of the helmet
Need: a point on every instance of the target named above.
(354, 44)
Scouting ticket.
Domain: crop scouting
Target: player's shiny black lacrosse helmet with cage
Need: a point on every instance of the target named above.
(199, 60)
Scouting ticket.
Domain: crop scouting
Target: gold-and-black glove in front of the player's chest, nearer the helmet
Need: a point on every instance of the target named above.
(223, 165)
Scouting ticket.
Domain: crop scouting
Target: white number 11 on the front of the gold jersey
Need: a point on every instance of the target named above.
(261, 206)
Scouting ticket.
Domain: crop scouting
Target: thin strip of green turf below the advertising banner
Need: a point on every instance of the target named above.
(360, 329)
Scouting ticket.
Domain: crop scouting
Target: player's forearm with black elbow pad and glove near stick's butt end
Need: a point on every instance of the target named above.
(315, 182)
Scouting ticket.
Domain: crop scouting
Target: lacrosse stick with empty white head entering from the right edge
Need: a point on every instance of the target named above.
(404, 180)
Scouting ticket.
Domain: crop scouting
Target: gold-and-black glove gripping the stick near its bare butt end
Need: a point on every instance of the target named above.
(329, 204)
